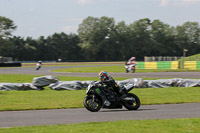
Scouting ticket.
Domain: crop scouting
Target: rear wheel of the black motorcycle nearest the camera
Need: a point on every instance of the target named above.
(132, 104)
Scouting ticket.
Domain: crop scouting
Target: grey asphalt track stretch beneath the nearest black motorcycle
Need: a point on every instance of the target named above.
(67, 116)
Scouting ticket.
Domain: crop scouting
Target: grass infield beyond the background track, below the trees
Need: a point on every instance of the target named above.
(111, 67)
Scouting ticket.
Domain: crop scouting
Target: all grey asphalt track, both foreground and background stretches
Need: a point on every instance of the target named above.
(67, 116)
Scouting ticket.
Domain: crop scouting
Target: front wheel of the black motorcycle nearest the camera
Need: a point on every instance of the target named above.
(92, 104)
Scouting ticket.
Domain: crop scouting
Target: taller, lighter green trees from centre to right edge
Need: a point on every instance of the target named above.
(102, 39)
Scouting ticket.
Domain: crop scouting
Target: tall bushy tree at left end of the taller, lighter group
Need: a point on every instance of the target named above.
(96, 37)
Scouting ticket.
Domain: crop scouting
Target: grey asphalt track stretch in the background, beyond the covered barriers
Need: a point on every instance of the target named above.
(46, 71)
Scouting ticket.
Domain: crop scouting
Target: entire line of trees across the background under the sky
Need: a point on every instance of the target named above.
(102, 39)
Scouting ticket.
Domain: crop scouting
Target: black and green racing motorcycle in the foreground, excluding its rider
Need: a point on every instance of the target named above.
(94, 100)
